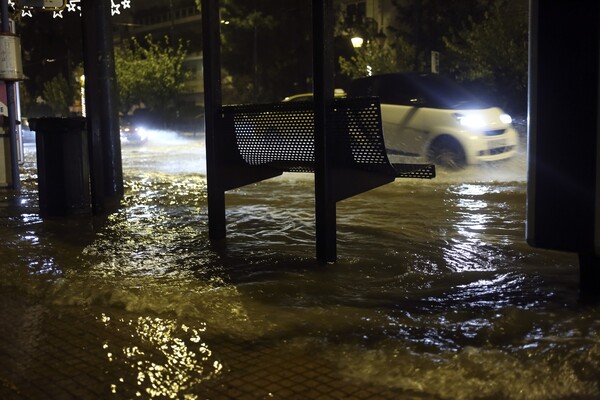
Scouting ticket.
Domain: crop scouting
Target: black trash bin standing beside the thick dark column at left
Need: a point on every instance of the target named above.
(63, 166)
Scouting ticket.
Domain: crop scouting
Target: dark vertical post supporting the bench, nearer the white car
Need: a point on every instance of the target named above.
(323, 69)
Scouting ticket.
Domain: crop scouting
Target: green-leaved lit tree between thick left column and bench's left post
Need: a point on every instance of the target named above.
(149, 73)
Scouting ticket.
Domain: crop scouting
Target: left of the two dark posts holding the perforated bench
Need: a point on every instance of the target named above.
(212, 105)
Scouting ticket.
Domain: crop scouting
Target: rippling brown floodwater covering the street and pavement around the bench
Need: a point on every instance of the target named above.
(435, 293)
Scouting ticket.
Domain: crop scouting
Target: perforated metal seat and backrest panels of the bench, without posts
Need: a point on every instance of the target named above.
(281, 136)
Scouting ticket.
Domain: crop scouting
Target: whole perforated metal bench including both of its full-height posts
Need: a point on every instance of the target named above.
(340, 141)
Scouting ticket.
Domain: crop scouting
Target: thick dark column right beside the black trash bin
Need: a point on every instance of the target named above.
(102, 116)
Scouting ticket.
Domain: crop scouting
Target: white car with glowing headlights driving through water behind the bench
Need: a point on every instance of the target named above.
(431, 118)
